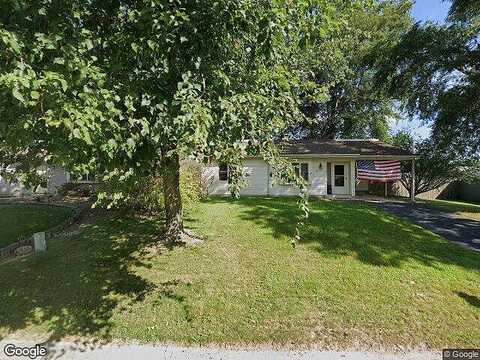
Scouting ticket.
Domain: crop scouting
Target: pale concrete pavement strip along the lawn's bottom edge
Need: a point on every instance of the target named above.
(74, 351)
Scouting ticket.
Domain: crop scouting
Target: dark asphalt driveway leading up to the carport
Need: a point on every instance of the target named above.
(463, 231)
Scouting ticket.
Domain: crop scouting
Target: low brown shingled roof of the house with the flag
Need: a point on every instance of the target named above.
(354, 147)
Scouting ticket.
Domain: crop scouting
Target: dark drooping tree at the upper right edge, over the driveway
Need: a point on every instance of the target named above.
(435, 71)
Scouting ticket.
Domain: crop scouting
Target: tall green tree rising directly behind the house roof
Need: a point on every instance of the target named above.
(346, 60)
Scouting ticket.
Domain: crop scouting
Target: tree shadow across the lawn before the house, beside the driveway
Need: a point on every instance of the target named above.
(343, 228)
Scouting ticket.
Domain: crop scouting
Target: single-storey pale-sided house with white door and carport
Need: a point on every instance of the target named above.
(328, 166)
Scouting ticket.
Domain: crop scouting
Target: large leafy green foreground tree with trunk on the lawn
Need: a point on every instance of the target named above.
(127, 88)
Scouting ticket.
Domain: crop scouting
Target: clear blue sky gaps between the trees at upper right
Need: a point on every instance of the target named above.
(424, 10)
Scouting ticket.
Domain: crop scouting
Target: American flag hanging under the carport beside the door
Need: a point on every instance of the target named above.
(381, 170)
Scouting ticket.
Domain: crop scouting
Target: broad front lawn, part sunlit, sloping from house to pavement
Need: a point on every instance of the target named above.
(360, 278)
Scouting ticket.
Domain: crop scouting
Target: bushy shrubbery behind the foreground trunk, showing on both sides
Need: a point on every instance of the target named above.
(145, 194)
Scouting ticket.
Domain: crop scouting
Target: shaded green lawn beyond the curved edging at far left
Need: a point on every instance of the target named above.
(17, 220)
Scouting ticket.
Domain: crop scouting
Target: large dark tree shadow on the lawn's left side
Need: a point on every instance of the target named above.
(74, 289)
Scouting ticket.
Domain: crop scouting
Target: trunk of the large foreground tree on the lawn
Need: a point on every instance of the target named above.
(172, 198)
